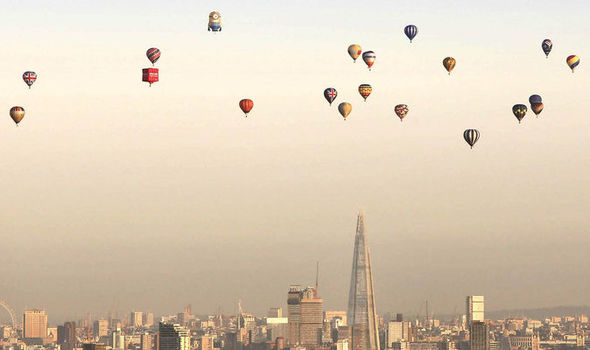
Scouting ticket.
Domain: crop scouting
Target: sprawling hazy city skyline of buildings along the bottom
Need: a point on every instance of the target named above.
(303, 324)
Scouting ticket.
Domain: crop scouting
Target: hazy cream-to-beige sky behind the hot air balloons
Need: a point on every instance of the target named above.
(115, 196)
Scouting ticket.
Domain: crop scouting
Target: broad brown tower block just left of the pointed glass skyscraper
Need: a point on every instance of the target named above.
(305, 317)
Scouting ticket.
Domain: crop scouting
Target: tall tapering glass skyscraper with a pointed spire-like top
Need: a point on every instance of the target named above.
(362, 311)
